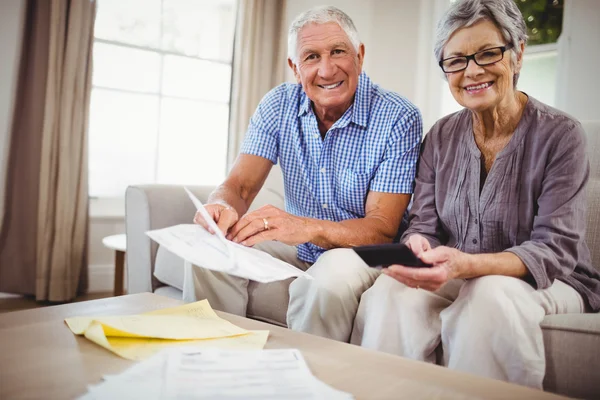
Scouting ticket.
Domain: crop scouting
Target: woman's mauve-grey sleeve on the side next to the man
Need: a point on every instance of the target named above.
(423, 217)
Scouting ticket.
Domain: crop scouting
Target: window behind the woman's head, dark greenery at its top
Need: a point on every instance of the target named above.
(538, 74)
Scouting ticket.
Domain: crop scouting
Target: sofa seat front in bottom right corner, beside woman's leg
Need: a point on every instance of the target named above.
(572, 346)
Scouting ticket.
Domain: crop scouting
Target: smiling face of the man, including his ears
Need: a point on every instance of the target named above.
(328, 67)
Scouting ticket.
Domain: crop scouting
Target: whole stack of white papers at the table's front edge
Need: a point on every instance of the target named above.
(189, 373)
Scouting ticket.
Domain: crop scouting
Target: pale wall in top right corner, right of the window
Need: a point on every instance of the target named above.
(578, 87)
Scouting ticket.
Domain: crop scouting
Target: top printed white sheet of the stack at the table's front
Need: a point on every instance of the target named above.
(264, 374)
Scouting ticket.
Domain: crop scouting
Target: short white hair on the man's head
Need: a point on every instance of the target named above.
(320, 15)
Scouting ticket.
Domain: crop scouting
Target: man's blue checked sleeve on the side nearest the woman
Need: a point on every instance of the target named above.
(396, 173)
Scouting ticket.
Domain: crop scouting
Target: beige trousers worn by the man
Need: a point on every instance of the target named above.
(325, 305)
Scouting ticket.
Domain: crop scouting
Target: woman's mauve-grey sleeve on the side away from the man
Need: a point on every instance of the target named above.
(559, 224)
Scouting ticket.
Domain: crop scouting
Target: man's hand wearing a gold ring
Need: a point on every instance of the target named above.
(281, 226)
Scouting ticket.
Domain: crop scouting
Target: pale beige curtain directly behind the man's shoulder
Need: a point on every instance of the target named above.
(259, 62)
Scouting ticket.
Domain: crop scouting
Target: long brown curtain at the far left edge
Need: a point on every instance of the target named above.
(43, 242)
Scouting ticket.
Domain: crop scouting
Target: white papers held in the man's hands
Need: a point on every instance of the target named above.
(195, 244)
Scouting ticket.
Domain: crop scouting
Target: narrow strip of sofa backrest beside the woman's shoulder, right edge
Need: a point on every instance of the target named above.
(592, 129)
